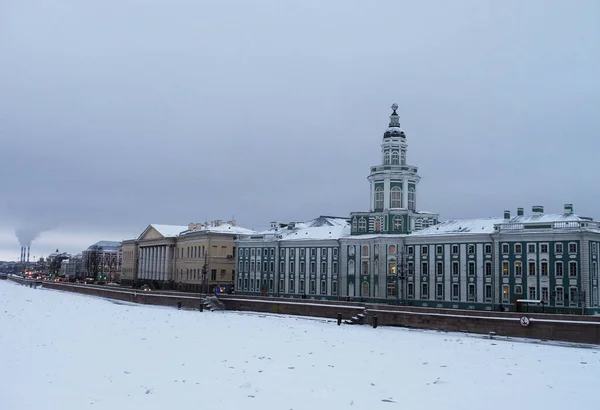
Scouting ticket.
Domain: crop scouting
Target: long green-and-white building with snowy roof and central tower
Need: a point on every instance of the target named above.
(395, 254)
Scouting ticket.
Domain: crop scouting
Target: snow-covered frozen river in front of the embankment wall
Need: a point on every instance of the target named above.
(72, 352)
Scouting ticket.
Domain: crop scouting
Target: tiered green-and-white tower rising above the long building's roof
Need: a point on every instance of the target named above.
(393, 197)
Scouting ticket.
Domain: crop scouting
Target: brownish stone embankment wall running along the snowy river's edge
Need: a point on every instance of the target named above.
(566, 328)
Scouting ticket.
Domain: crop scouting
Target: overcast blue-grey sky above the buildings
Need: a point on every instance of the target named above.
(118, 113)
